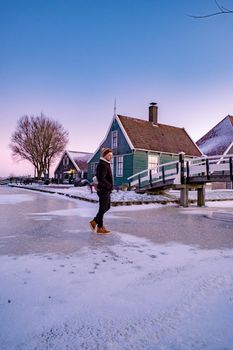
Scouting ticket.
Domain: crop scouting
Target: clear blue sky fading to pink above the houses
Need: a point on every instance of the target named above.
(71, 58)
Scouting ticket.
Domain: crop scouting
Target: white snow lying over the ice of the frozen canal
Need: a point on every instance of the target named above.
(119, 292)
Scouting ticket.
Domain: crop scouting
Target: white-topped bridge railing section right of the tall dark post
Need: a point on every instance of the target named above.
(212, 165)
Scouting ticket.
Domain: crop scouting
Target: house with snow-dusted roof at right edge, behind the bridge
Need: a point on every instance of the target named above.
(218, 141)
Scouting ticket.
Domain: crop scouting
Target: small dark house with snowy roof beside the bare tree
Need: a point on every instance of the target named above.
(72, 165)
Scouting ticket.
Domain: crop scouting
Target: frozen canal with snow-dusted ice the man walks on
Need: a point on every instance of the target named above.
(162, 280)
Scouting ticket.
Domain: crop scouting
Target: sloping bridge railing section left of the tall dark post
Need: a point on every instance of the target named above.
(161, 173)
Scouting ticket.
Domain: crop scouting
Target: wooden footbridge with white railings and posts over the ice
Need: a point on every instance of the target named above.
(184, 175)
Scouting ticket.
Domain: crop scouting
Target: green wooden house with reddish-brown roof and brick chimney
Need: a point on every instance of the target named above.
(139, 144)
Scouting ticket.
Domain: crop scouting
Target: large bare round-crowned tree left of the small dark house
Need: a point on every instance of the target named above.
(39, 140)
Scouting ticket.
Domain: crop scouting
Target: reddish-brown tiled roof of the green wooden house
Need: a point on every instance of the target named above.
(158, 137)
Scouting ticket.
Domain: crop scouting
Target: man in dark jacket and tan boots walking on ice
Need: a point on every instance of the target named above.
(104, 189)
